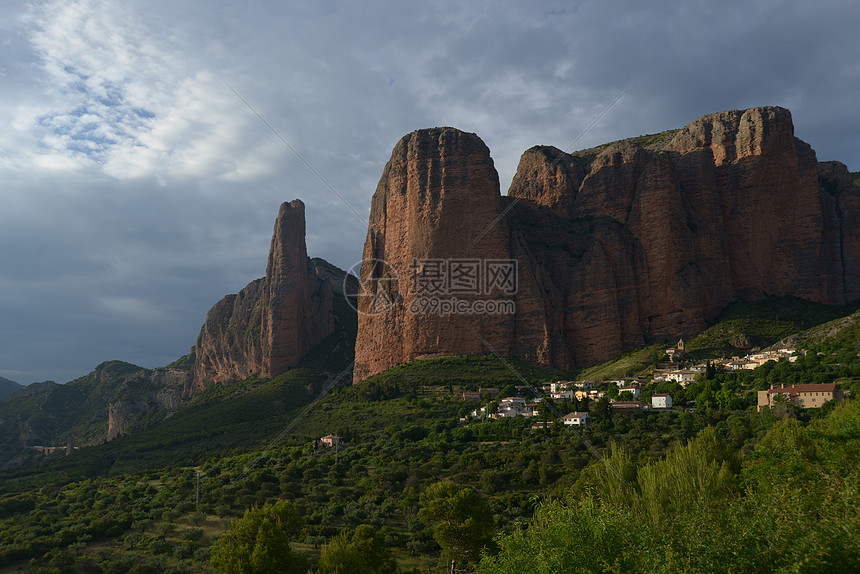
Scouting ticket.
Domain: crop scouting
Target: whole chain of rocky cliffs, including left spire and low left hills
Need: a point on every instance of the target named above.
(615, 246)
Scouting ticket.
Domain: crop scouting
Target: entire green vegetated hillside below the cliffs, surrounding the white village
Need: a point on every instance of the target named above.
(131, 504)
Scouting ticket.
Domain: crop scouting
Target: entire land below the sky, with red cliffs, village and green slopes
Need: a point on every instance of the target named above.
(644, 358)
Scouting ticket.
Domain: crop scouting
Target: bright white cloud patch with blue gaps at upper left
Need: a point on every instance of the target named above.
(124, 99)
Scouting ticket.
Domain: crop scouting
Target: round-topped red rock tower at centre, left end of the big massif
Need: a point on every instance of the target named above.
(438, 198)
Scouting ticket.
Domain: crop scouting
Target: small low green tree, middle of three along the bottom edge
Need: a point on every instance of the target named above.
(364, 553)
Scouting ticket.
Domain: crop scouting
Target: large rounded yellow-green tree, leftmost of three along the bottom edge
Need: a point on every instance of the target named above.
(260, 542)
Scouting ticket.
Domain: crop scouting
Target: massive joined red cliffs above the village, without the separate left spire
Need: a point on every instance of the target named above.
(635, 240)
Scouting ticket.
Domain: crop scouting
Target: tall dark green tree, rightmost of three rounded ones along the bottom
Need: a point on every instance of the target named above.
(461, 520)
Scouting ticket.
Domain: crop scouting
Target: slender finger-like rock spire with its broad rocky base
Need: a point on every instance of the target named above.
(273, 322)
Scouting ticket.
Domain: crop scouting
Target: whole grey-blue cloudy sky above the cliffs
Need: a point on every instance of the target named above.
(136, 188)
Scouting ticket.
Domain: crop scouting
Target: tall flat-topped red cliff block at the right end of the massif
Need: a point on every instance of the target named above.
(767, 183)
